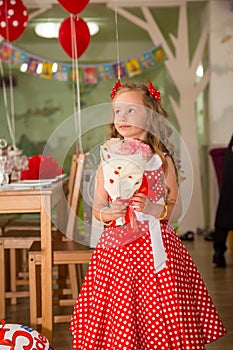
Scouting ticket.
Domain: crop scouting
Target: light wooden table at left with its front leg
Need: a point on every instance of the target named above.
(40, 201)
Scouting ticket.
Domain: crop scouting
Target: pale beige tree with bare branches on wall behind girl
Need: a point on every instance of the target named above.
(182, 70)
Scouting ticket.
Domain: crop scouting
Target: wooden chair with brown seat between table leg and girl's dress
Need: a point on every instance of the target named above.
(66, 252)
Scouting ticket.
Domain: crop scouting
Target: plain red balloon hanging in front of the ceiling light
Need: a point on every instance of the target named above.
(74, 30)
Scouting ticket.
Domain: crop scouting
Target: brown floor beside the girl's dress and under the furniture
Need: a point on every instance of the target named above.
(218, 281)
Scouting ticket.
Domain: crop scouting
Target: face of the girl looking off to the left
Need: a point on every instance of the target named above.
(130, 115)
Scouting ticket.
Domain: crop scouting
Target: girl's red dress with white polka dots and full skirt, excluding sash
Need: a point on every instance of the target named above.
(124, 304)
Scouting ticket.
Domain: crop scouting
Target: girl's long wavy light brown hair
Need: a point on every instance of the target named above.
(159, 132)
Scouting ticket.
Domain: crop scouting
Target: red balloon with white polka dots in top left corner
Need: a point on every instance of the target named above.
(13, 19)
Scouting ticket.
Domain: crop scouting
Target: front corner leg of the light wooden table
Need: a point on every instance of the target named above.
(46, 267)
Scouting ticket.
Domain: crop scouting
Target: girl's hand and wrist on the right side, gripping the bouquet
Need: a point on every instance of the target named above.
(142, 203)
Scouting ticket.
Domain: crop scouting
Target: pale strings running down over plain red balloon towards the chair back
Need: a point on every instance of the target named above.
(77, 106)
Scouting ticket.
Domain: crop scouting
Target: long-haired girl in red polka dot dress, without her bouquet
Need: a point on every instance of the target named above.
(127, 301)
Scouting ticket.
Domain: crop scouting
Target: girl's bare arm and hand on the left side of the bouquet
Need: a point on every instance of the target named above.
(102, 209)
